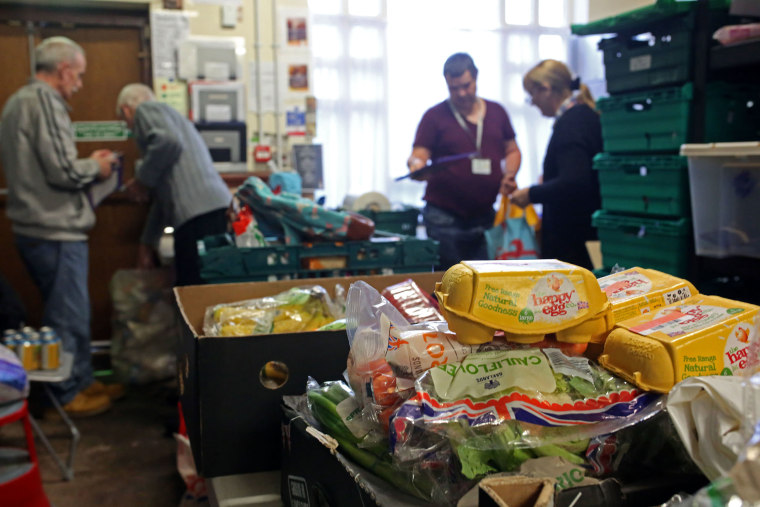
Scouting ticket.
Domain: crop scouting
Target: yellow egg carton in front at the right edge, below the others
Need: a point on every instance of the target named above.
(699, 336)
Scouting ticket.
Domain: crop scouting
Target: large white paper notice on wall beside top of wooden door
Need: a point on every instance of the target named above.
(167, 30)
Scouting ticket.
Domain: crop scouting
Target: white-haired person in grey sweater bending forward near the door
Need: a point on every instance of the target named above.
(179, 176)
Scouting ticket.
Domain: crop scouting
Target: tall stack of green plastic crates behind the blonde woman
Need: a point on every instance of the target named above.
(645, 218)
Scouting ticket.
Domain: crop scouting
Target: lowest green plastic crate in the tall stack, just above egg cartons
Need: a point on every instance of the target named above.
(661, 244)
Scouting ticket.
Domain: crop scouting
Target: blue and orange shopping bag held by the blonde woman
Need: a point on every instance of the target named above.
(513, 235)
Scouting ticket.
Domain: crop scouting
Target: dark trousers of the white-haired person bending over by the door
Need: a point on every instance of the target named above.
(186, 236)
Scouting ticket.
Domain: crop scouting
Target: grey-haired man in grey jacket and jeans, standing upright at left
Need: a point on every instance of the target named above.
(50, 212)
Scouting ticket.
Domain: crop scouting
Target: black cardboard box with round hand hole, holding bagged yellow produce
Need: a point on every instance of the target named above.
(232, 418)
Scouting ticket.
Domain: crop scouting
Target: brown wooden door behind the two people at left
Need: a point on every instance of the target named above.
(115, 50)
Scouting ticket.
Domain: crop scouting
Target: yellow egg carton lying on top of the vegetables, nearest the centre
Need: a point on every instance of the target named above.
(526, 299)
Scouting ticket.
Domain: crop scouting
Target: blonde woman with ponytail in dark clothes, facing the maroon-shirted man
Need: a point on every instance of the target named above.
(569, 192)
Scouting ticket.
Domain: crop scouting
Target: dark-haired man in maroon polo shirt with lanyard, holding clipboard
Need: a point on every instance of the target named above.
(460, 192)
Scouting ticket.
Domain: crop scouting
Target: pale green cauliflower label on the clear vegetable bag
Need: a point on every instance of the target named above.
(482, 374)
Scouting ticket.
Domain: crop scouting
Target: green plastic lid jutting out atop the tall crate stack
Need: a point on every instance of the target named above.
(640, 19)
